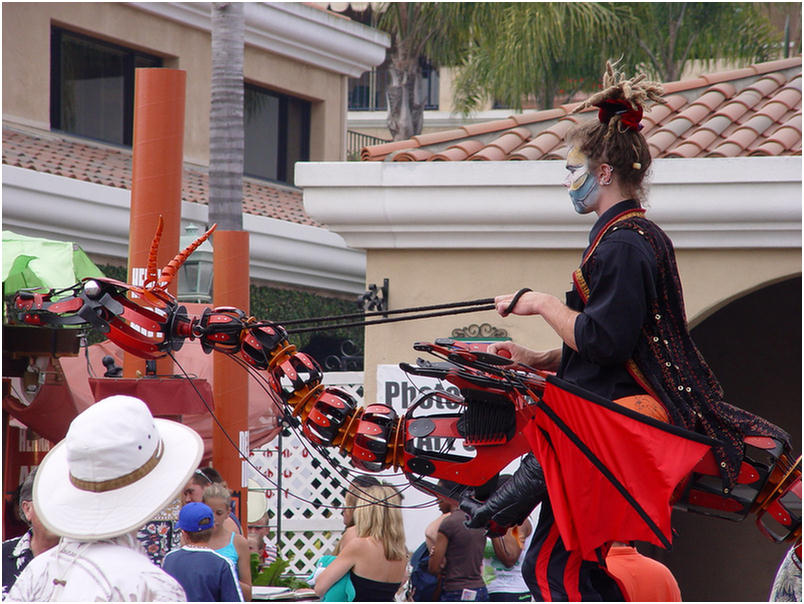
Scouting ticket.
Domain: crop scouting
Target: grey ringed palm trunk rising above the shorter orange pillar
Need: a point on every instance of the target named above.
(226, 139)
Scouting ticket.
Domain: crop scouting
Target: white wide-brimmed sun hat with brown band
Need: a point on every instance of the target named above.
(116, 468)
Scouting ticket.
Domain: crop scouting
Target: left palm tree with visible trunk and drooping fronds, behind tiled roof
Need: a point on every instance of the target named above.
(491, 42)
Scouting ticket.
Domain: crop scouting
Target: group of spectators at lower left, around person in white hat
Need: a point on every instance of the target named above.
(116, 469)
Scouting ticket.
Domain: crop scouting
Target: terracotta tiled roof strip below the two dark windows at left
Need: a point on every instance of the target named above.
(64, 155)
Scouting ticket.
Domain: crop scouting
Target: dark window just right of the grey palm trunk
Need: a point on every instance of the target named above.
(277, 133)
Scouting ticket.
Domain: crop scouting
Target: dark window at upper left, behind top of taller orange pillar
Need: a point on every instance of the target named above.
(92, 86)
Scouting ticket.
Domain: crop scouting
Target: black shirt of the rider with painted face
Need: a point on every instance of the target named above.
(621, 275)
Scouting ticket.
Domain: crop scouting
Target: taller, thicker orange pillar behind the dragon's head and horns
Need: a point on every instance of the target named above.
(156, 170)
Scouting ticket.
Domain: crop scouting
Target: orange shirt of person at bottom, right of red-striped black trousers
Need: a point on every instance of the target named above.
(644, 579)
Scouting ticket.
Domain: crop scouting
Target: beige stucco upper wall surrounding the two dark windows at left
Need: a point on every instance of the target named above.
(26, 68)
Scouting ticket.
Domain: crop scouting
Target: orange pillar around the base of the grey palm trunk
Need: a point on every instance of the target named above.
(230, 265)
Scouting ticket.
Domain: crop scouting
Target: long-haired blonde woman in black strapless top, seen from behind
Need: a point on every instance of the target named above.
(376, 558)
